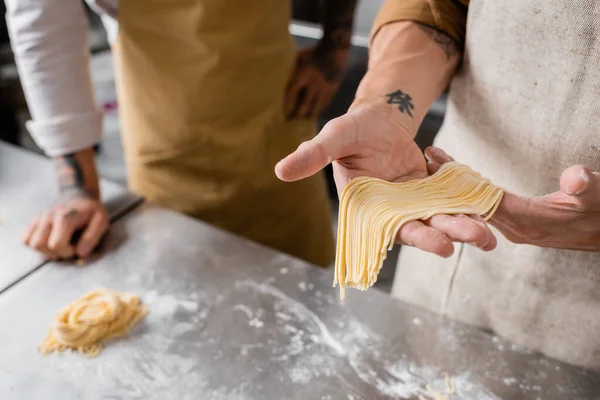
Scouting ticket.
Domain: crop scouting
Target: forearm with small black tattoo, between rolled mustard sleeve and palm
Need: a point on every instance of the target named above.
(410, 65)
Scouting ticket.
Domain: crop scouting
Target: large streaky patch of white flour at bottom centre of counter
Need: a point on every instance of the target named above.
(356, 347)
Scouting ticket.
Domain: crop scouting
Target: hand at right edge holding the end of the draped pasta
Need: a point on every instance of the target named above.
(566, 219)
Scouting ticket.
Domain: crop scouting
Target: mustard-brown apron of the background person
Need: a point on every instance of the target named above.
(201, 87)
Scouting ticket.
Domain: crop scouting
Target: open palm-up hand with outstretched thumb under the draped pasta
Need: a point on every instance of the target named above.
(368, 142)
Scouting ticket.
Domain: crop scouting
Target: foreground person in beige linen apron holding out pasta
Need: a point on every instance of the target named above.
(523, 111)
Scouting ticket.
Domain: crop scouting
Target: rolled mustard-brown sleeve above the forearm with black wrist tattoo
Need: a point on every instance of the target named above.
(448, 16)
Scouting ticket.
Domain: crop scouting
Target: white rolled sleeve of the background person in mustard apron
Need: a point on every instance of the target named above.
(50, 43)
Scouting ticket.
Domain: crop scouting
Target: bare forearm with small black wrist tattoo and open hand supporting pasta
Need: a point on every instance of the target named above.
(409, 67)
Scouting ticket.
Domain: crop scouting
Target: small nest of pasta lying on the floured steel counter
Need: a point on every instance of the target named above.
(91, 320)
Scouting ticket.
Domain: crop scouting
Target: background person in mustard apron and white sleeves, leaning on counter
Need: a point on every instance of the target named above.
(211, 95)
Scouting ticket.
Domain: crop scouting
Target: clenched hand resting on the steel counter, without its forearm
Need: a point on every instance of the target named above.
(51, 233)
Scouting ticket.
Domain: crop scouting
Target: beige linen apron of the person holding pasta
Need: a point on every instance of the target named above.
(524, 106)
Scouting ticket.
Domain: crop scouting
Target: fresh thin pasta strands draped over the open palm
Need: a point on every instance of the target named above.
(372, 211)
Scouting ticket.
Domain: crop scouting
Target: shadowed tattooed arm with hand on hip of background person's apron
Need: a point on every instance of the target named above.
(319, 69)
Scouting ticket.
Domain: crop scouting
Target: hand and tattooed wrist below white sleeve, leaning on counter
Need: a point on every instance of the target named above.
(78, 209)
